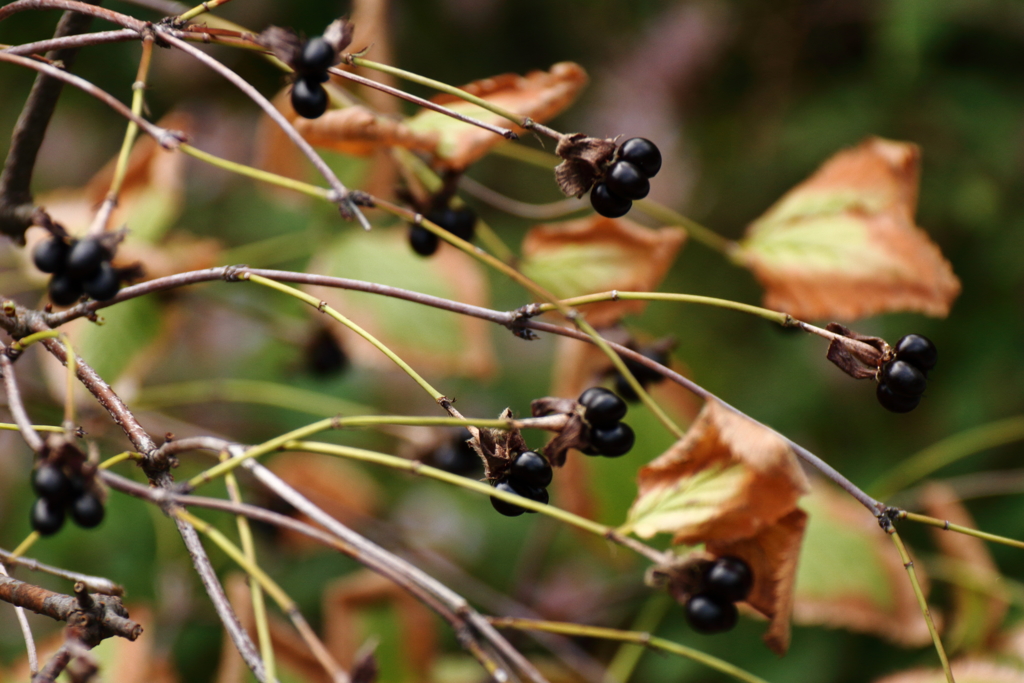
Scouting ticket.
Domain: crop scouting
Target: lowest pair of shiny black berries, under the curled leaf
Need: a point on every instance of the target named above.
(724, 583)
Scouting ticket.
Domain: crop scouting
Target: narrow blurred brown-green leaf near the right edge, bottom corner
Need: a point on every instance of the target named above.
(976, 615)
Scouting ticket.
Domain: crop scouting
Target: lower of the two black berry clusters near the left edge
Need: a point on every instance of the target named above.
(60, 493)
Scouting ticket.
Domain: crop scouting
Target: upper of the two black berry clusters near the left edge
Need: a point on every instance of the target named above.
(83, 267)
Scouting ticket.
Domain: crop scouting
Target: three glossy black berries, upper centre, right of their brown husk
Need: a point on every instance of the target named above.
(637, 160)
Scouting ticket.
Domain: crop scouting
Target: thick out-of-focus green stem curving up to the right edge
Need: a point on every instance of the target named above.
(947, 452)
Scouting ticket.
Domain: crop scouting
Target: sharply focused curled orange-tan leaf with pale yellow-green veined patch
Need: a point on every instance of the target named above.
(728, 480)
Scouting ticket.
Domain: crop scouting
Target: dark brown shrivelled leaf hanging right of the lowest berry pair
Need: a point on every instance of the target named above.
(773, 554)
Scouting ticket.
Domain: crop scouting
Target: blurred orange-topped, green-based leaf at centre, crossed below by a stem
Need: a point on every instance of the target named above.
(599, 254)
